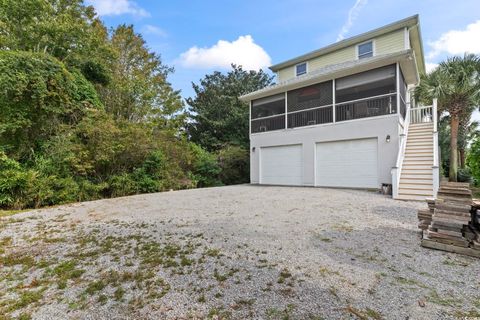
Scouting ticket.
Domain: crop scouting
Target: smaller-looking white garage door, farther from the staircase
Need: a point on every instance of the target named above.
(281, 165)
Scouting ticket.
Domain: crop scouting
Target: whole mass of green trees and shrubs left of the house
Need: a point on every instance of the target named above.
(87, 113)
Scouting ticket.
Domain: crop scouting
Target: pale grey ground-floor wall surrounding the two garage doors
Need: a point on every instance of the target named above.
(378, 127)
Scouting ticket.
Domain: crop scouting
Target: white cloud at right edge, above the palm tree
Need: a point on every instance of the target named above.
(457, 41)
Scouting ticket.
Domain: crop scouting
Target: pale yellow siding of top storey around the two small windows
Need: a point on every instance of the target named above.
(387, 43)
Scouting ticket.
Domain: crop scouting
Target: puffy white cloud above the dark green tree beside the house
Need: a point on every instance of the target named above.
(243, 51)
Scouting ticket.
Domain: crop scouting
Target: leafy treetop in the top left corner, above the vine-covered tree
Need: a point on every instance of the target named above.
(65, 29)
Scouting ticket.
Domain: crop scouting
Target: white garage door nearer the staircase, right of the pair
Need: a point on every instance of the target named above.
(351, 163)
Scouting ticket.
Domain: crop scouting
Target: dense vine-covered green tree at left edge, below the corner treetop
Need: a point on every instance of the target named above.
(39, 96)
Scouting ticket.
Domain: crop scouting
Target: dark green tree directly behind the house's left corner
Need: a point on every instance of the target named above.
(217, 116)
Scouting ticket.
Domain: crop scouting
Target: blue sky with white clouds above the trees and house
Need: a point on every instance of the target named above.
(199, 37)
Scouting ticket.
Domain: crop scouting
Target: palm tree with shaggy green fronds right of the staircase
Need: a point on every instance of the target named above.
(456, 85)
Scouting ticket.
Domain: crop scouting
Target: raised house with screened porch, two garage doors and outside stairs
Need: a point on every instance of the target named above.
(344, 116)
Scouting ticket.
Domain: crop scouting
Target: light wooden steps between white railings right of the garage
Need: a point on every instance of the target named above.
(416, 176)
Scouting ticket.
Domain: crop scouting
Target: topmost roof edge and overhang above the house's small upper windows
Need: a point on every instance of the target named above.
(412, 22)
